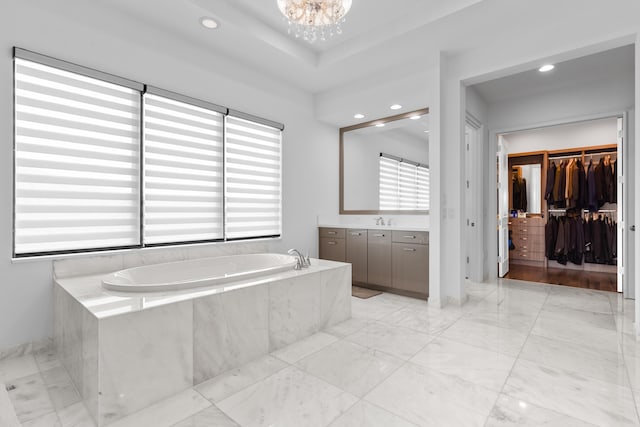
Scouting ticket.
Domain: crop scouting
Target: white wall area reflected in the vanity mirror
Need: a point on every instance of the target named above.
(362, 164)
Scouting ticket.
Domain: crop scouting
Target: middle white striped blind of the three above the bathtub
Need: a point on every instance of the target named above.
(183, 179)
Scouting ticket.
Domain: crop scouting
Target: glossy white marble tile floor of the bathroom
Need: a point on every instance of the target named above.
(517, 354)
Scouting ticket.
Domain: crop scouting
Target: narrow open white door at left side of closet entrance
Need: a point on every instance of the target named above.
(503, 208)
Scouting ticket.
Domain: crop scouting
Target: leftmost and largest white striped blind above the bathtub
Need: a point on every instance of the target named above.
(76, 161)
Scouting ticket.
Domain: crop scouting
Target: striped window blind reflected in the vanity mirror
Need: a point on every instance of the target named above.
(404, 185)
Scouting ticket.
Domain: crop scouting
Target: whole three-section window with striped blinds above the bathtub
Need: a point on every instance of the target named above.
(102, 163)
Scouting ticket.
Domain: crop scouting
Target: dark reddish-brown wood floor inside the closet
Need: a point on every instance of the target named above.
(557, 276)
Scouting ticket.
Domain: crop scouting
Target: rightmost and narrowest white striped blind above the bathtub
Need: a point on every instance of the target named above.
(253, 179)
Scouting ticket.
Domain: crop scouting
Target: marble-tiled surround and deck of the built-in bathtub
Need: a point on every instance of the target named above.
(125, 352)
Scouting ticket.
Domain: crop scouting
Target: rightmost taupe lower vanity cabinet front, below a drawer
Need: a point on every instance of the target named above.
(411, 267)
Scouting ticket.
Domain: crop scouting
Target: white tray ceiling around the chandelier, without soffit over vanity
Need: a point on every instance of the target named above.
(254, 32)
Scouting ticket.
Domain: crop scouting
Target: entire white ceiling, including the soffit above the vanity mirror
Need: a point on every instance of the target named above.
(389, 45)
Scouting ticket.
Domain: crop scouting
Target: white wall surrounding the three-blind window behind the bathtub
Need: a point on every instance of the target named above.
(92, 37)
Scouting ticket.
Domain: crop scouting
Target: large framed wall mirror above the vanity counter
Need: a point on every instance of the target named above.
(384, 165)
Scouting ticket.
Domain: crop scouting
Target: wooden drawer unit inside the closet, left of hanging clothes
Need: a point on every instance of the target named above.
(527, 235)
